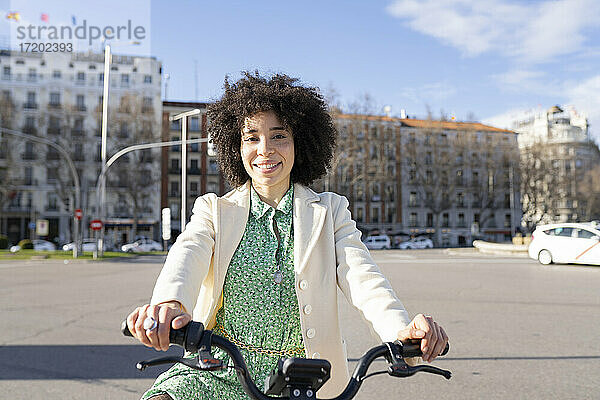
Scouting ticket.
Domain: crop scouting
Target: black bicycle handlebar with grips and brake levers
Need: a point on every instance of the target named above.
(194, 338)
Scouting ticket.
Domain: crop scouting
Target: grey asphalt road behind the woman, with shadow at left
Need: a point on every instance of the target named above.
(517, 329)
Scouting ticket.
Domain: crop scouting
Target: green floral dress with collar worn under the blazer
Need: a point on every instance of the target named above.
(257, 311)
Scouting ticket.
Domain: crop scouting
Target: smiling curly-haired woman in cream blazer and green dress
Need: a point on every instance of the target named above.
(261, 265)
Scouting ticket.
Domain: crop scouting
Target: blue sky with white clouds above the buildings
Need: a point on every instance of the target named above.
(493, 59)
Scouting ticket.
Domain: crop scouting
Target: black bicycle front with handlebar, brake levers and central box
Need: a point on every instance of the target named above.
(293, 378)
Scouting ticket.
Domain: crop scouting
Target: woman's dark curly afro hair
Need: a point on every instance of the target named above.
(300, 109)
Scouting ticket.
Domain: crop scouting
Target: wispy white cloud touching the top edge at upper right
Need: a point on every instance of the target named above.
(531, 32)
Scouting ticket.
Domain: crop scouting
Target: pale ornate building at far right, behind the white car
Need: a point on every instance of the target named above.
(557, 156)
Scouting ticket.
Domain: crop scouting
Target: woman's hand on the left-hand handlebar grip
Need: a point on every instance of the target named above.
(168, 315)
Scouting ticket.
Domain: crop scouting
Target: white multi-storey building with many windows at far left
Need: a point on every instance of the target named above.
(58, 96)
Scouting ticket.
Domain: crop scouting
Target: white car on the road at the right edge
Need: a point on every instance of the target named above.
(577, 243)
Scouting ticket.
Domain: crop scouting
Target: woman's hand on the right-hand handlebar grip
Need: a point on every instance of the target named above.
(433, 337)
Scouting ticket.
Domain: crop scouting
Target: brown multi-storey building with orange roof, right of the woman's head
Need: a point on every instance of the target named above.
(452, 181)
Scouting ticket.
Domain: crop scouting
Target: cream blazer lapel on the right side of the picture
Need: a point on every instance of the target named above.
(309, 217)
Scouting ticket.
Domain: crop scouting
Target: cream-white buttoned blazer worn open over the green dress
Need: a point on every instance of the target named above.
(328, 254)
